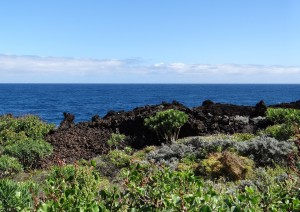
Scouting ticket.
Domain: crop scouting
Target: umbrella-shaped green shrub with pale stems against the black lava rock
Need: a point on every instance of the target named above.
(167, 123)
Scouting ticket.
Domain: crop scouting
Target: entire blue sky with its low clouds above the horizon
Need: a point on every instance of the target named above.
(150, 41)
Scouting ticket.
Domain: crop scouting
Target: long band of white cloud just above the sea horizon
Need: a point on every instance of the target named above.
(32, 67)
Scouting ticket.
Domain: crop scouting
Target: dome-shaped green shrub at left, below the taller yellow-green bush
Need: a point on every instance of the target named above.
(29, 152)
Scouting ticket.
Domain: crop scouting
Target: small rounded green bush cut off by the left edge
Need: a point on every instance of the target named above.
(9, 166)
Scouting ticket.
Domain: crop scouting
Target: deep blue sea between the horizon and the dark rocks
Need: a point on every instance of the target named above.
(49, 101)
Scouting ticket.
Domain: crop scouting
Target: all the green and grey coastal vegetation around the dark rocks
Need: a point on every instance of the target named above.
(240, 172)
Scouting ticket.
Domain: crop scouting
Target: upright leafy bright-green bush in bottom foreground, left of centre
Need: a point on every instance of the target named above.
(72, 188)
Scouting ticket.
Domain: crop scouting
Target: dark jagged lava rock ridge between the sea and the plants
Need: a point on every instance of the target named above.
(85, 140)
